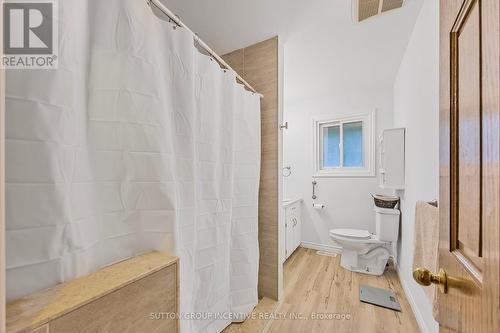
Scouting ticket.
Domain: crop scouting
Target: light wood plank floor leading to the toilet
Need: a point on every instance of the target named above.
(317, 284)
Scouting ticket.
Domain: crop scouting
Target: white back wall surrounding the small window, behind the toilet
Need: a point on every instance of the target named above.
(348, 201)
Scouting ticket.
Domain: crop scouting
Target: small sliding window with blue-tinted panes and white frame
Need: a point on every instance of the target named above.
(345, 147)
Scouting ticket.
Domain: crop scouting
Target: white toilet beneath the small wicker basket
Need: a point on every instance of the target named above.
(365, 252)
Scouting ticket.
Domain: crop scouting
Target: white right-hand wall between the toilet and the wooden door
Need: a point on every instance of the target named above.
(416, 107)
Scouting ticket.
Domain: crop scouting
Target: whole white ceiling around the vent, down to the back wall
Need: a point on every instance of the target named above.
(323, 46)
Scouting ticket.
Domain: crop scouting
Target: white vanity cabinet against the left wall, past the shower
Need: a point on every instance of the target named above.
(293, 225)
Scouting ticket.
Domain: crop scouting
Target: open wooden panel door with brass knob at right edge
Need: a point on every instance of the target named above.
(469, 165)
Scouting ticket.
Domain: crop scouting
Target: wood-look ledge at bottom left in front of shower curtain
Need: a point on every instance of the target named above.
(132, 296)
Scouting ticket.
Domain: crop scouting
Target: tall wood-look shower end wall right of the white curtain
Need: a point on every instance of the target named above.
(258, 65)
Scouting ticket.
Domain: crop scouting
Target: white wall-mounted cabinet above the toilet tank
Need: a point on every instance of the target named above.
(392, 159)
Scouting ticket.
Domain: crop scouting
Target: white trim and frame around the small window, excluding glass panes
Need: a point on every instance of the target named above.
(369, 139)
